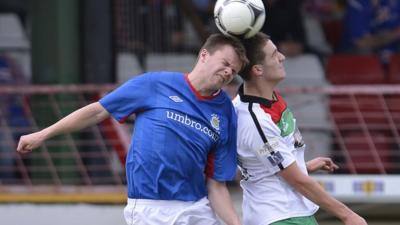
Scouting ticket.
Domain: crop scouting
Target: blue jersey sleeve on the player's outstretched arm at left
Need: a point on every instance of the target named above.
(131, 97)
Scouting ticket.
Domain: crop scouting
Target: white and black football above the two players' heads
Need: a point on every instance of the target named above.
(240, 18)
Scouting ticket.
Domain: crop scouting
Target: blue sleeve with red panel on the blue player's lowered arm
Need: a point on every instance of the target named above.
(222, 161)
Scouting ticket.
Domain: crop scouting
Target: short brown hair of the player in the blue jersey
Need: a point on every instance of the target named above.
(215, 41)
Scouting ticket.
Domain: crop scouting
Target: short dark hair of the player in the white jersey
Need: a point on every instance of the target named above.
(255, 52)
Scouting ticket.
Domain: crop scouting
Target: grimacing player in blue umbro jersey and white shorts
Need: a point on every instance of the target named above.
(184, 143)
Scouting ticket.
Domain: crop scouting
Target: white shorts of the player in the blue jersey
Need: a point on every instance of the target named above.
(166, 212)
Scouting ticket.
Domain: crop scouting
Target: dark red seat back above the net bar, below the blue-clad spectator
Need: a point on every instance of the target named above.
(354, 69)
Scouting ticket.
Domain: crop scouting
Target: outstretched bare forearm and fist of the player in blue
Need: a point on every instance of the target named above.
(79, 119)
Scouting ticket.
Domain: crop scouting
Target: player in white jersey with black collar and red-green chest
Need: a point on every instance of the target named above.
(276, 187)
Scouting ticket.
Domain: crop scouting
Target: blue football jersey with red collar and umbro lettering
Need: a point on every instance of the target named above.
(178, 138)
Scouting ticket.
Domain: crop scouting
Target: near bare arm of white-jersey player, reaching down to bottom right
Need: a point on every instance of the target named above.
(314, 192)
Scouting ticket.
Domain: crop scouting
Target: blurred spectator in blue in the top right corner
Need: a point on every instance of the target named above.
(372, 27)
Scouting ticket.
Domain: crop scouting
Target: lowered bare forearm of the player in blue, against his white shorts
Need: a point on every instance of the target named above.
(221, 202)
